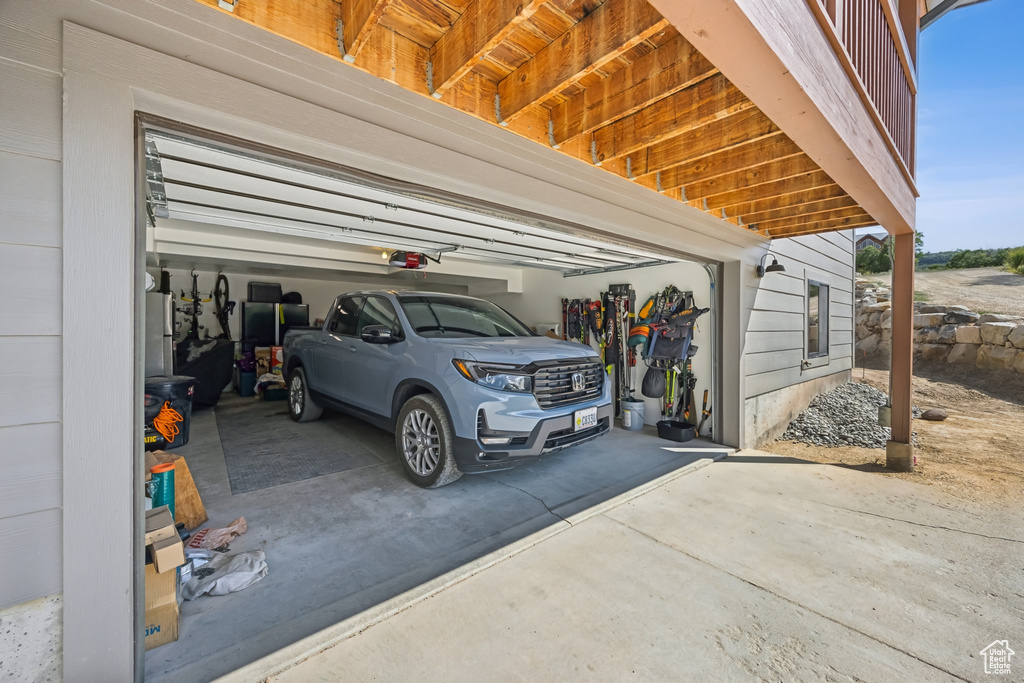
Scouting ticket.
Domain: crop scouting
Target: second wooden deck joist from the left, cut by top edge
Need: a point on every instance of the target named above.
(484, 26)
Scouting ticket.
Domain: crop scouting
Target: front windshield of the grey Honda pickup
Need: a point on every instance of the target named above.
(459, 317)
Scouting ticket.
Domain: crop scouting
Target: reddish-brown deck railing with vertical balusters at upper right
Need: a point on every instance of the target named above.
(870, 41)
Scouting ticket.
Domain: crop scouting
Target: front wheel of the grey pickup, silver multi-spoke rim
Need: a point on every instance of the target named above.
(423, 439)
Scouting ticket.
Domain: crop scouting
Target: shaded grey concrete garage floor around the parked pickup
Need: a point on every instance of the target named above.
(345, 535)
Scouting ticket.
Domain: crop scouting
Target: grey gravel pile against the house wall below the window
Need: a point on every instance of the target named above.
(846, 416)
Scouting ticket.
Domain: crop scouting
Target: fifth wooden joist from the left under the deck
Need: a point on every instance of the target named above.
(706, 103)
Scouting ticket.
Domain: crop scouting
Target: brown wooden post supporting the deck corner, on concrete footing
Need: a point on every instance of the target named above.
(900, 451)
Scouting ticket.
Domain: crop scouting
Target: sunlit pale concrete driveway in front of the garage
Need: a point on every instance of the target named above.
(752, 568)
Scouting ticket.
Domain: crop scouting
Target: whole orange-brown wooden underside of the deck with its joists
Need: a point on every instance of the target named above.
(611, 83)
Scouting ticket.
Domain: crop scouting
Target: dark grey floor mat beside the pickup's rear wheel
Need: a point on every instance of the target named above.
(265, 448)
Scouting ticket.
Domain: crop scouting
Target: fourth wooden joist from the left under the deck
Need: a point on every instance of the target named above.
(668, 70)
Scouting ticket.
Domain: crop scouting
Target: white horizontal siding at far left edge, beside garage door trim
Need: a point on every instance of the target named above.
(30, 286)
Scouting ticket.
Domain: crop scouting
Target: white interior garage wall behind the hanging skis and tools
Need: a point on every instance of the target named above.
(544, 290)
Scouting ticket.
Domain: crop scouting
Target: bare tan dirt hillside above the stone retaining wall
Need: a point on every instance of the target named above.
(982, 290)
